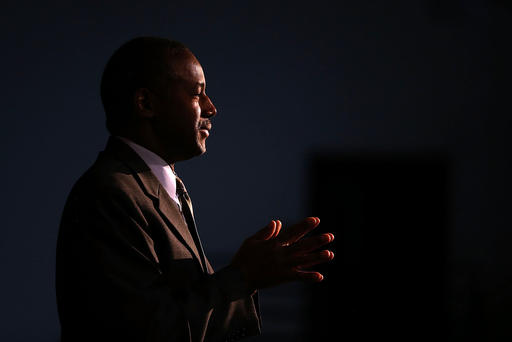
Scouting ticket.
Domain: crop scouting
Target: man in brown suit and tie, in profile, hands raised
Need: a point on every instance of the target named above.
(130, 265)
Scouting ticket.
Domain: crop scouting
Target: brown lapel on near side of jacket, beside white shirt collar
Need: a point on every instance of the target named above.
(152, 188)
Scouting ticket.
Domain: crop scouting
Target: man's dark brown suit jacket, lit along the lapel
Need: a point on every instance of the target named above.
(128, 268)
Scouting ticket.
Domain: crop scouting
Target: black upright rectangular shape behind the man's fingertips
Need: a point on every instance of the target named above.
(389, 213)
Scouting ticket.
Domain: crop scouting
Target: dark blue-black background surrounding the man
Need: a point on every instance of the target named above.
(388, 119)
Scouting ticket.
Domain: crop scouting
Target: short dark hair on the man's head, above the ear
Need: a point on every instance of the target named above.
(138, 63)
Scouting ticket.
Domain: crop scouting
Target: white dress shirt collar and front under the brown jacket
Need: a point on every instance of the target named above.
(160, 168)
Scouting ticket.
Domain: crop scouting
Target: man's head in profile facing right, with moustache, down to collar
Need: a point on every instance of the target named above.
(153, 91)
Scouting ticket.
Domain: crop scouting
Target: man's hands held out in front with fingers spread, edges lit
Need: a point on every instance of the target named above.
(269, 258)
